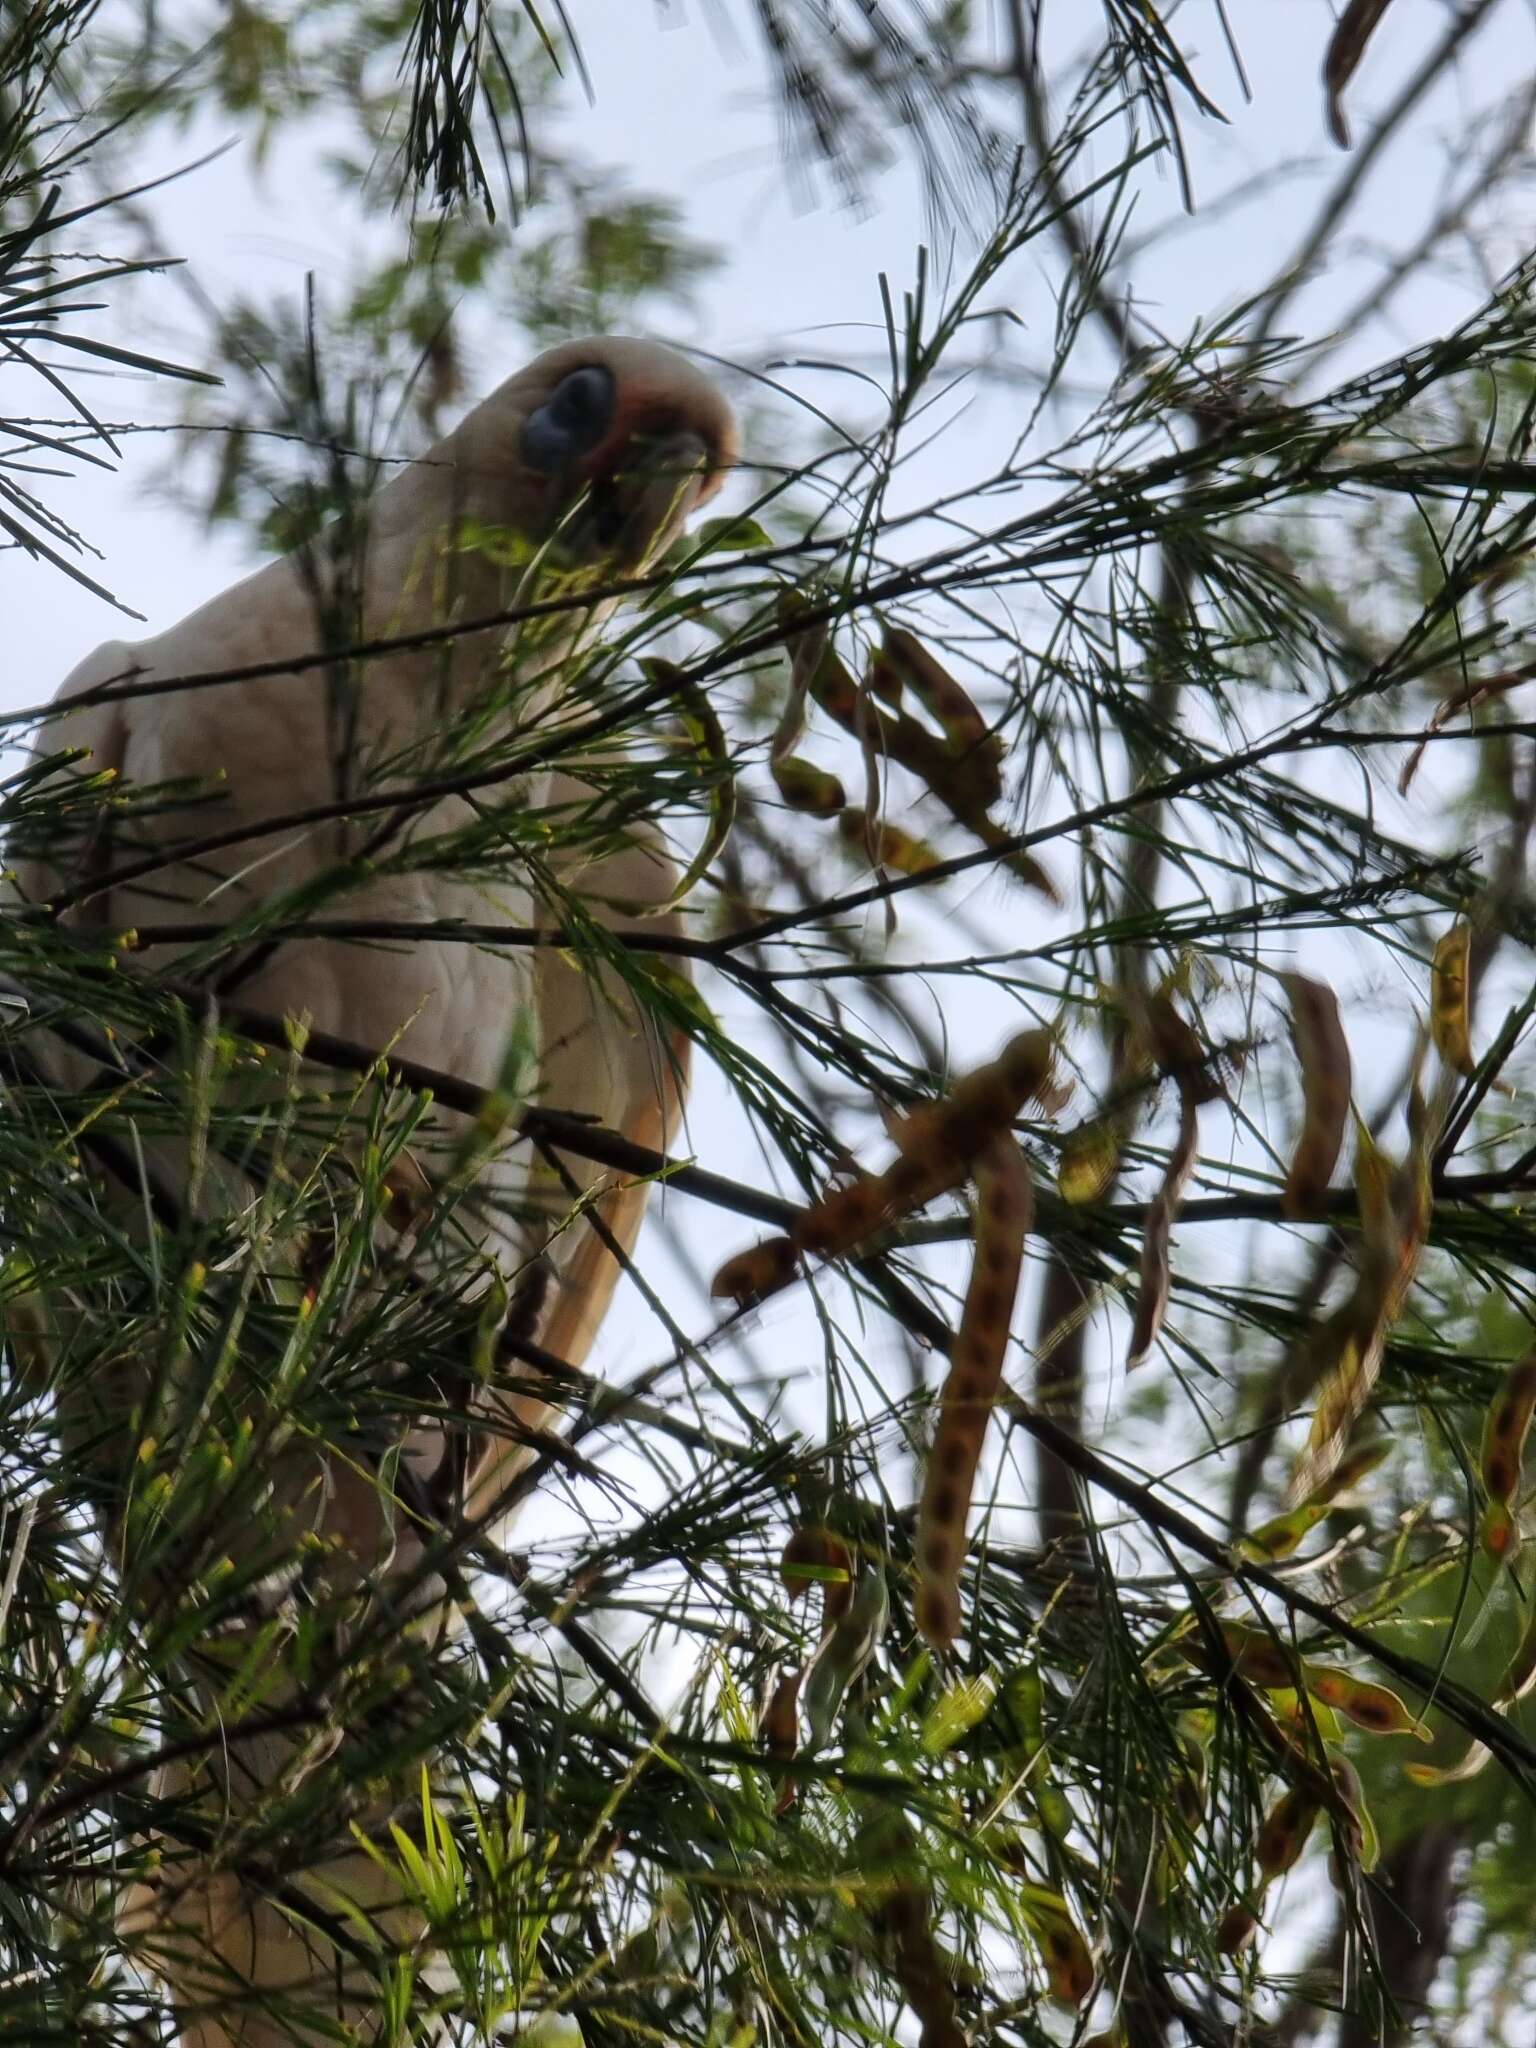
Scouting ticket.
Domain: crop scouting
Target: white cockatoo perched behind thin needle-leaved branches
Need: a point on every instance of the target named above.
(593, 458)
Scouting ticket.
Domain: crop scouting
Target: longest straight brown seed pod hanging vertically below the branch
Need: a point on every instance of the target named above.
(1005, 1213)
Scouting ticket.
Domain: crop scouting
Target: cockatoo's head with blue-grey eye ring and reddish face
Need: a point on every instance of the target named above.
(617, 443)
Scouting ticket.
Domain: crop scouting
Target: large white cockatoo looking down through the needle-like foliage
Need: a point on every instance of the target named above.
(314, 773)
